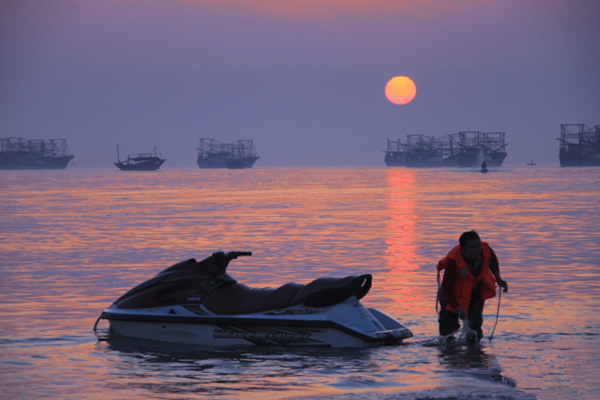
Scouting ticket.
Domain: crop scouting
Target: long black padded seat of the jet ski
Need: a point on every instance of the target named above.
(237, 298)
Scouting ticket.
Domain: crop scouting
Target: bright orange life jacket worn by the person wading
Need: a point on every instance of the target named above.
(465, 281)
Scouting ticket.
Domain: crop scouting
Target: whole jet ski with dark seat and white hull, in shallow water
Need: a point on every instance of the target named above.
(199, 303)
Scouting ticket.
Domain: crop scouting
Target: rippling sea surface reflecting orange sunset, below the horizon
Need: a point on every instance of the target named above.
(73, 241)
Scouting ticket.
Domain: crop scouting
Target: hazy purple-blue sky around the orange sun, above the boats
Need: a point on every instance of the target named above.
(304, 79)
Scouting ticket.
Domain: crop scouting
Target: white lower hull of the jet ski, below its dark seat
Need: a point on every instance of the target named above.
(347, 324)
